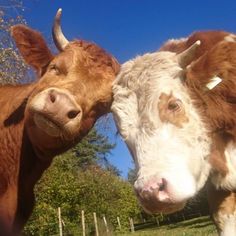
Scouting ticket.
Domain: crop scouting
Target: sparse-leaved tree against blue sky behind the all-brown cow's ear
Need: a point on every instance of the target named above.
(12, 67)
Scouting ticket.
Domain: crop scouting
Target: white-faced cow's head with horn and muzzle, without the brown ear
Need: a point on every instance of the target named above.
(162, 128)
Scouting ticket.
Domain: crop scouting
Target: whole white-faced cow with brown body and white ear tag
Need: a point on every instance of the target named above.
(176, 111)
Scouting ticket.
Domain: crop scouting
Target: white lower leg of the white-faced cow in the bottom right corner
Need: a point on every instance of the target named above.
(227, 224)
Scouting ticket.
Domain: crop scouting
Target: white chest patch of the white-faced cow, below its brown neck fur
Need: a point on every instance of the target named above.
(229, 181)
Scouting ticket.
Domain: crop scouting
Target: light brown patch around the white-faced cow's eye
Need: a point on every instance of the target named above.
(172, 110)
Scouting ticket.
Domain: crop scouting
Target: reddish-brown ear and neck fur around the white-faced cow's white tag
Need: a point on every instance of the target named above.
(217, 106)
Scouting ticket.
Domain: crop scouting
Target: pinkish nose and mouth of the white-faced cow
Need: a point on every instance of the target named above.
(155, 197)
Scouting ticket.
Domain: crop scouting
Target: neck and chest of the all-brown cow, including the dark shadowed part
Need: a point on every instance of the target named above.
(22, 165)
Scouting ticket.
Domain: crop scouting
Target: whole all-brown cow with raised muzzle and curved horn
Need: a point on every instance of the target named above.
(47, 117)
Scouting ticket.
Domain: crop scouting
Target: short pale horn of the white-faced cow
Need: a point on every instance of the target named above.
(186, 57)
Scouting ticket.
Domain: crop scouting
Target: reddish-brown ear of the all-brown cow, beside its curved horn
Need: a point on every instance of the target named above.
(32, 47)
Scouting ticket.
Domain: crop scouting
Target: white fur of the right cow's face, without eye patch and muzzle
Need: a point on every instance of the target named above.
(160, 149)
